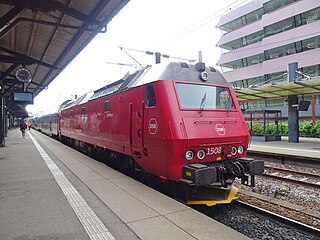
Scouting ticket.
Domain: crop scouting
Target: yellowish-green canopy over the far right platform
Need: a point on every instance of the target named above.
(305, 86)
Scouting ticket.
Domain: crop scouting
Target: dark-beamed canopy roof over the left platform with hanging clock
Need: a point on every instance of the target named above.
(44, 36)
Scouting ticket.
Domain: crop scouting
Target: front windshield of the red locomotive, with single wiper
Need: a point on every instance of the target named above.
(204, 97)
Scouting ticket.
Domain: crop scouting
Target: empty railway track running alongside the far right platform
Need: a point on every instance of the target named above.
(294, 176)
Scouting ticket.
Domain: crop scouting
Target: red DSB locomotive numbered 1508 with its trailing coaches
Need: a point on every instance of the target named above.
(178, 122)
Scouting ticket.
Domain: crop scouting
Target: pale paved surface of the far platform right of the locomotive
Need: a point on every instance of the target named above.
(309, 147)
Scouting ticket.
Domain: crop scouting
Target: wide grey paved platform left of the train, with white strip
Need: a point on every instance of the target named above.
(51, 191)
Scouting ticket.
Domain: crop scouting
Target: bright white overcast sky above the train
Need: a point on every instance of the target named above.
(178, 28)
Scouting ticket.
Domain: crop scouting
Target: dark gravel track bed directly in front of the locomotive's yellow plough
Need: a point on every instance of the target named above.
(258, 223)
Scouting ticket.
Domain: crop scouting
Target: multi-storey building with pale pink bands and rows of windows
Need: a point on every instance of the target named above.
(262, 37)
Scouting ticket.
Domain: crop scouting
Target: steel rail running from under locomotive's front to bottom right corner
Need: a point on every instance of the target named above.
(281, 219)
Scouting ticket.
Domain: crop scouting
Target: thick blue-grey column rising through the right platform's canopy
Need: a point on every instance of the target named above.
(293, 113)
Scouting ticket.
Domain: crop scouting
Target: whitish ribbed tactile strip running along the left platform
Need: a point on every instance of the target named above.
(92, 224)
